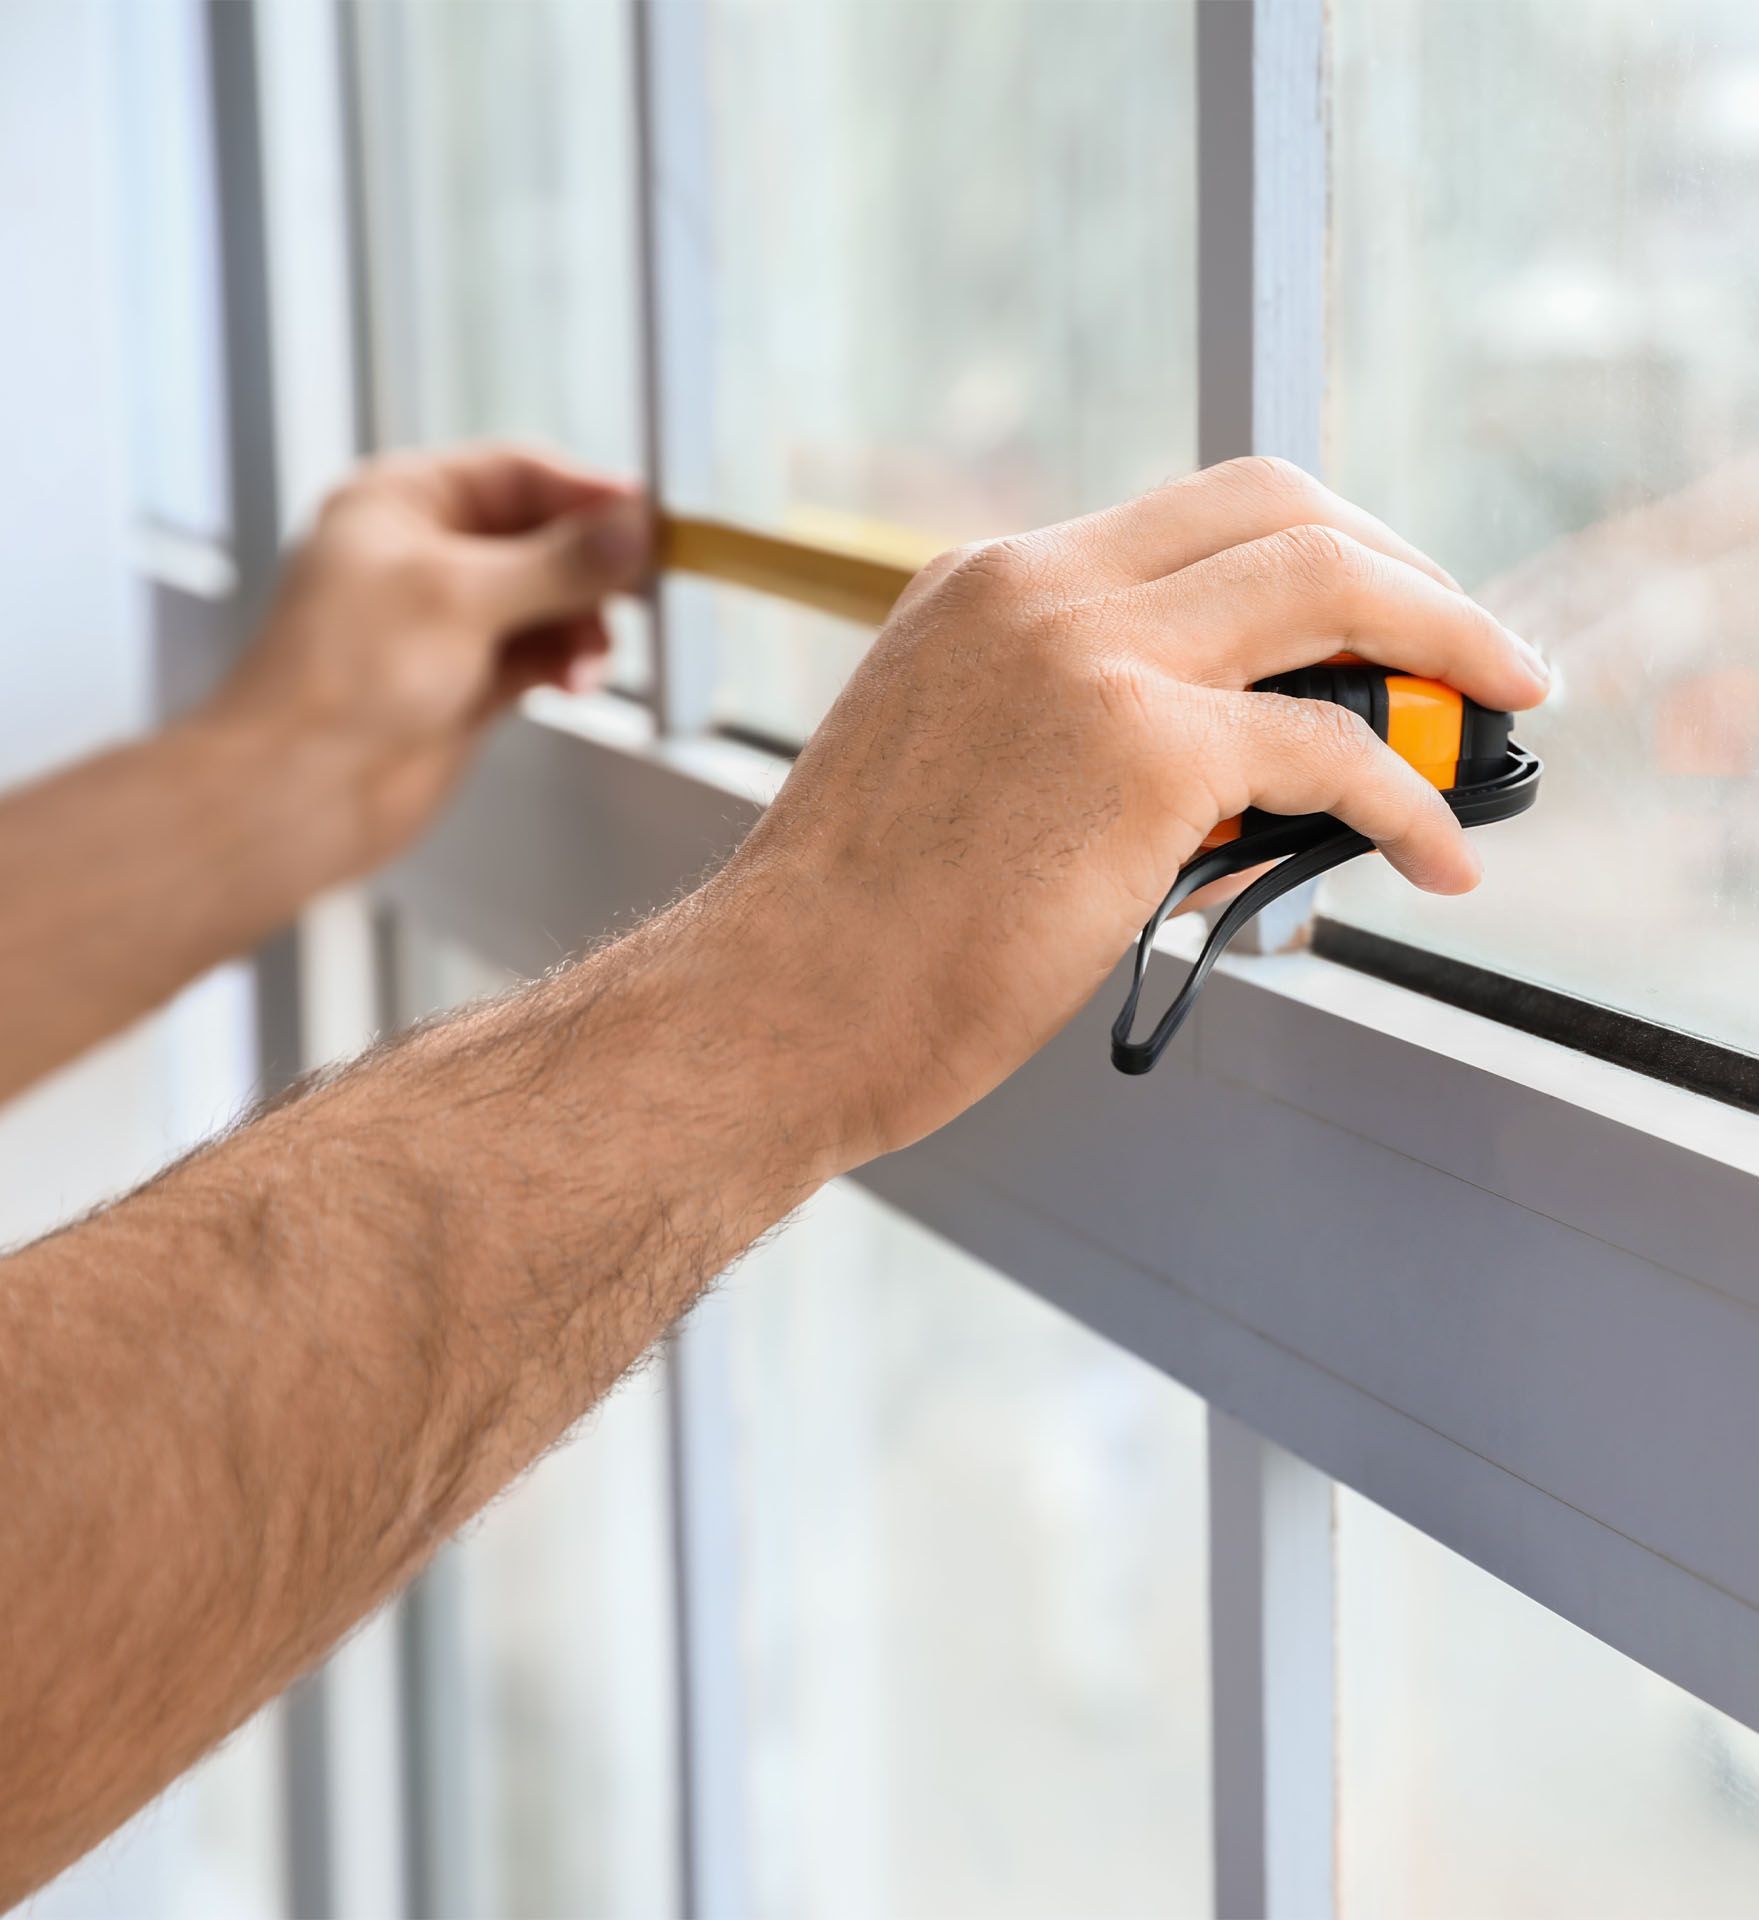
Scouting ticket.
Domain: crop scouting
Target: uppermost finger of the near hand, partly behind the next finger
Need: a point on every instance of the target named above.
(1211, 512)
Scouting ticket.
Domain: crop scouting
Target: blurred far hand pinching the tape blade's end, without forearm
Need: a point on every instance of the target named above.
(431, 594)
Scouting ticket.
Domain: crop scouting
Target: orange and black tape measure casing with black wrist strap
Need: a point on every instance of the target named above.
(1457, 746)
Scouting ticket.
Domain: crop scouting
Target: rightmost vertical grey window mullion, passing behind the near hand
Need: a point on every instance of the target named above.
(1263, 206)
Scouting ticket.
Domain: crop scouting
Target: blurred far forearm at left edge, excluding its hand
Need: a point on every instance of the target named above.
(133, 873)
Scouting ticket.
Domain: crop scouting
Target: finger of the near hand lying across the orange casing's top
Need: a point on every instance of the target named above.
(1309, 592)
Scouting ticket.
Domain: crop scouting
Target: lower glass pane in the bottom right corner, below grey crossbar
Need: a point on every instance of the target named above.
(1495, 1760)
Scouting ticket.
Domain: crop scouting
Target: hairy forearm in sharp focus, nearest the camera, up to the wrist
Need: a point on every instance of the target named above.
(251, 1401)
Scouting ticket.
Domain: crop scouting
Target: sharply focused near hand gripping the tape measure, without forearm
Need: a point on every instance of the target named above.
(1046, 732)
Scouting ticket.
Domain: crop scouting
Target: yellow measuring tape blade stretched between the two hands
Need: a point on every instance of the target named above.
(855, 581)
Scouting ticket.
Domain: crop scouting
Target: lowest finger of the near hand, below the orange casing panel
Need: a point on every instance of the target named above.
(1311, 757)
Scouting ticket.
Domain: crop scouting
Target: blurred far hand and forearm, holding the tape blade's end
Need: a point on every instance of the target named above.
(433, 592)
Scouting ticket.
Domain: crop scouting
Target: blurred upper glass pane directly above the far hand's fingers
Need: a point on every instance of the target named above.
(502, 231)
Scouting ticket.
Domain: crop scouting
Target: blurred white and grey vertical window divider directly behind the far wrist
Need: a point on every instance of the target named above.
(318, 986)
